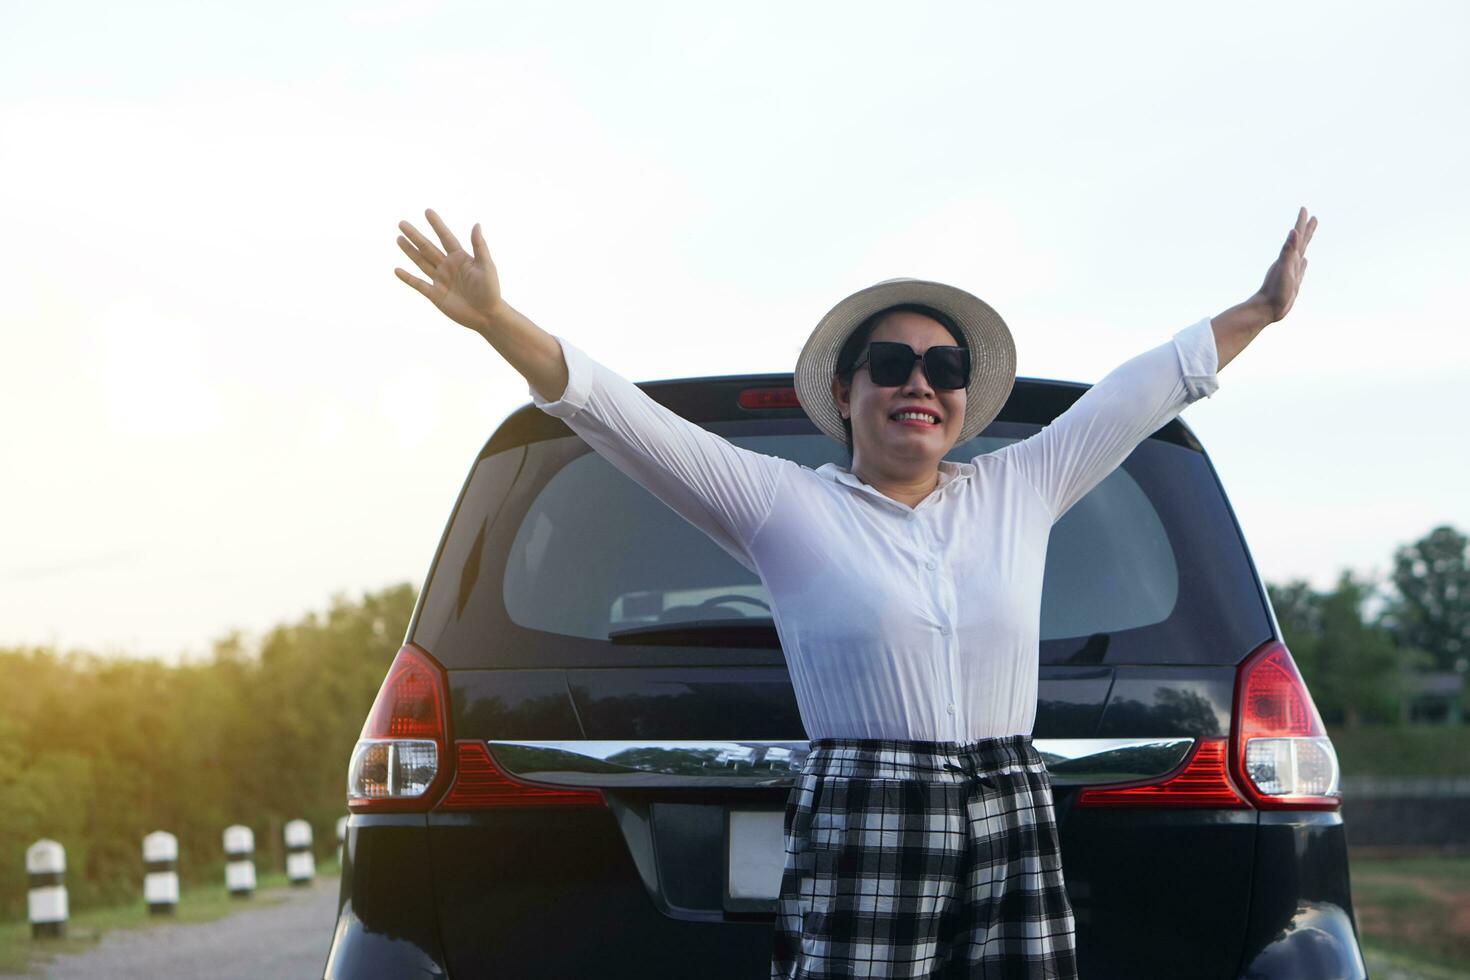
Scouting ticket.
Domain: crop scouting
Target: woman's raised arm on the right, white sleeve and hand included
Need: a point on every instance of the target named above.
(1091, 439)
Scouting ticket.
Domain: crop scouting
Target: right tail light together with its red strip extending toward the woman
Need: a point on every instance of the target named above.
(1278, 756)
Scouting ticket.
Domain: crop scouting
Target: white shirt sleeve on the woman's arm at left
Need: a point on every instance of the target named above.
(721, 489)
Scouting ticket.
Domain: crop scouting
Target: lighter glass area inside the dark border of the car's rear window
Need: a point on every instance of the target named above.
(596, 553)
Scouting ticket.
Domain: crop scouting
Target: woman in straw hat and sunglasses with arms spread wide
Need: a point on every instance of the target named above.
(921, 838)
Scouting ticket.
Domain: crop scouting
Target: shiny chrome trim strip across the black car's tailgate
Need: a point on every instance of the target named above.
(712, 763)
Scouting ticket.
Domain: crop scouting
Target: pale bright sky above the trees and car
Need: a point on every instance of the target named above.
(221, 408)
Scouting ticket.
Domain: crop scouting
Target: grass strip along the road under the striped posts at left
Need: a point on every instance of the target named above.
(20, 954)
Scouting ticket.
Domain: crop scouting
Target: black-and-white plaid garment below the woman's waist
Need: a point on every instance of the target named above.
(912, 859)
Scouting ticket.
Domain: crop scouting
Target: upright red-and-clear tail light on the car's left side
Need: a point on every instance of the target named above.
(401, 757)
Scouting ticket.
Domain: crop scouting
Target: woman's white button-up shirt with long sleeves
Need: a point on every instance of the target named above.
(897, 622)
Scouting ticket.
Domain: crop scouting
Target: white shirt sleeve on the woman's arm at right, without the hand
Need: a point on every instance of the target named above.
(1091, 439)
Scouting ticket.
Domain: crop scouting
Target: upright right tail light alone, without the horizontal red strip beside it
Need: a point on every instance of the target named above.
(1281, 754)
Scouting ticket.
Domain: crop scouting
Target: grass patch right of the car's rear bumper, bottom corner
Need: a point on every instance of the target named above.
(1413, 915)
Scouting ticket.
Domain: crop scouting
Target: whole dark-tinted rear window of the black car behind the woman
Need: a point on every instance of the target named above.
(553, 552)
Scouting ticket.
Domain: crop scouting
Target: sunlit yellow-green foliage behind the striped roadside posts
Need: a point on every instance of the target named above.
(98, 753)
